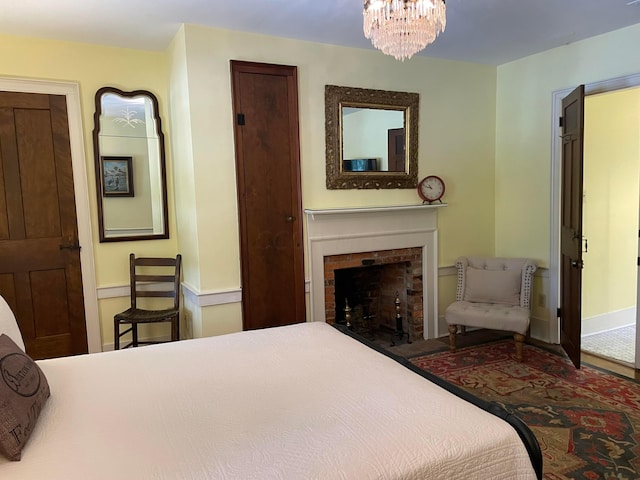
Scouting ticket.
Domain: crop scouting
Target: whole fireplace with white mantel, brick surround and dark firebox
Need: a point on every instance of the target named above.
(396, 242)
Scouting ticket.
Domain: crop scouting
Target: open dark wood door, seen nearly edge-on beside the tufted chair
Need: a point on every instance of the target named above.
(571, 224)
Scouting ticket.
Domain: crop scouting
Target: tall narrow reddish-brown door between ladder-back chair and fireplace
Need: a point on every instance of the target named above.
(265, 102)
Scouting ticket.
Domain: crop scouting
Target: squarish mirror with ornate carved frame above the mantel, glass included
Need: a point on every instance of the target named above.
(371, 138)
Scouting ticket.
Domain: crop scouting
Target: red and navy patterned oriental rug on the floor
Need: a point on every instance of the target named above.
(587, 421)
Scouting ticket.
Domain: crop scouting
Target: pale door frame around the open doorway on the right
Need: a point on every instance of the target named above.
(592, 88)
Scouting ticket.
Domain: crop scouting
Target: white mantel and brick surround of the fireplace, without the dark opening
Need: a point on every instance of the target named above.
(344, 237)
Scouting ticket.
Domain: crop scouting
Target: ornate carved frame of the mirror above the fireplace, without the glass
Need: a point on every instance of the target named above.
(335, 98)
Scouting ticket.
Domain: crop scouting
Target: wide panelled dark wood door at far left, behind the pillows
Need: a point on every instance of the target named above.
(40, 274)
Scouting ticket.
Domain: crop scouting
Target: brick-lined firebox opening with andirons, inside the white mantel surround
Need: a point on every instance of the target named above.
(382, 291)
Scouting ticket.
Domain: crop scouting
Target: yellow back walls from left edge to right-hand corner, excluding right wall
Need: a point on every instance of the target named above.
(192, 82)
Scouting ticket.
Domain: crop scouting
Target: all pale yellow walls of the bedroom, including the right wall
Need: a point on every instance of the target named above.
(485, 131)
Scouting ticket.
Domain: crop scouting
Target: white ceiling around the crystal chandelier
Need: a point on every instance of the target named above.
(483, 31)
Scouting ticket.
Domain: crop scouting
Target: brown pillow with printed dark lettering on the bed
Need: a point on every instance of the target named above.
(23, 392)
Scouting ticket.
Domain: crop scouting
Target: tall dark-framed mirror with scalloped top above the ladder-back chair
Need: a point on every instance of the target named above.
(131, 177)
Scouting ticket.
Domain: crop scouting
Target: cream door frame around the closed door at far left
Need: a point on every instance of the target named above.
(81, 191)
